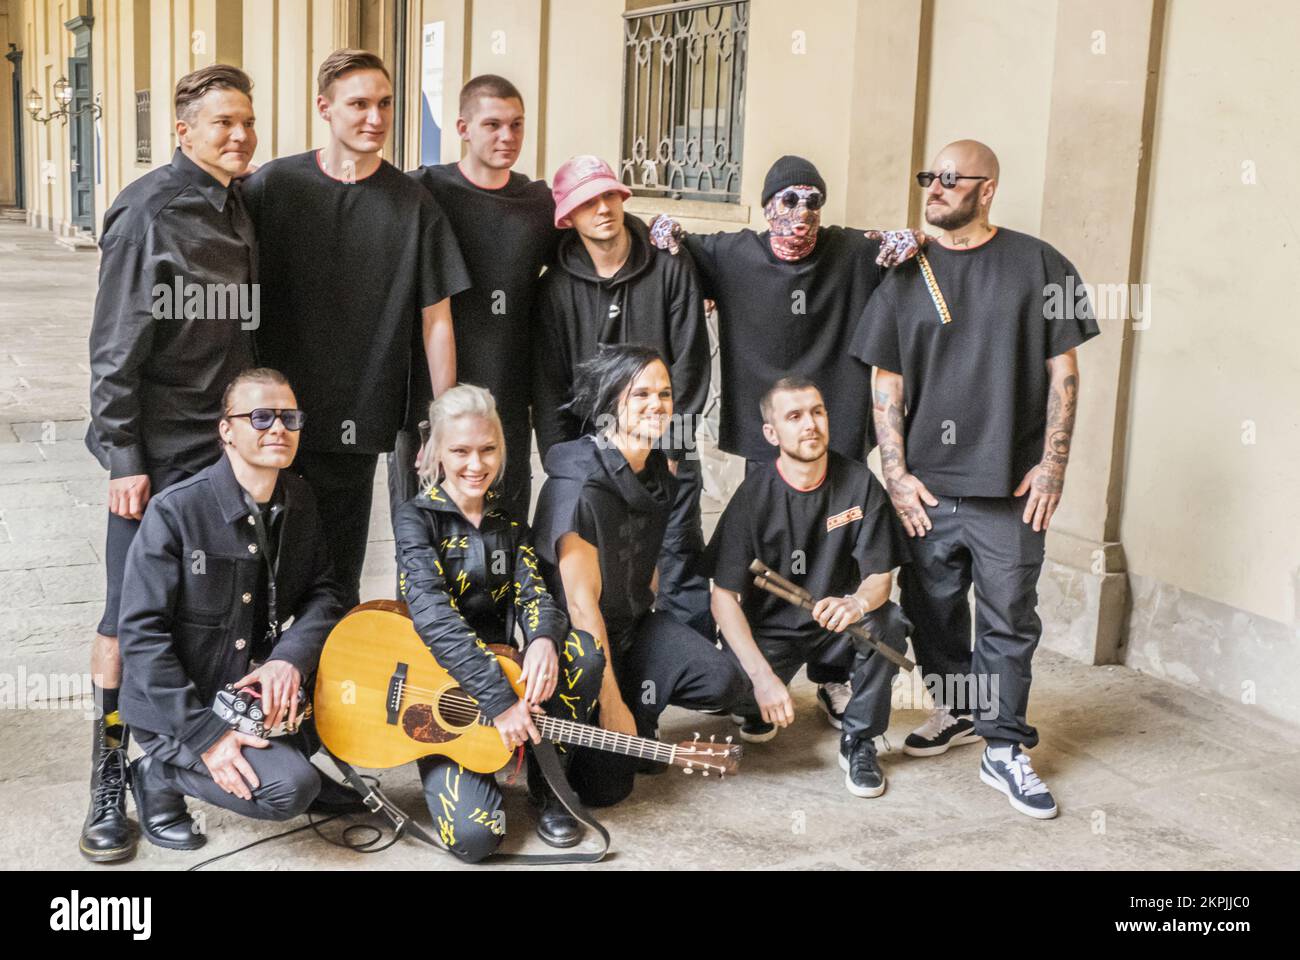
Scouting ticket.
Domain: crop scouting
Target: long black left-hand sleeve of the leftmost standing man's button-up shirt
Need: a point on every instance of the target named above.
(122, 339)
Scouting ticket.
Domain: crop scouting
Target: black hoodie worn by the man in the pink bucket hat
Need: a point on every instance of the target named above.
(653, 300)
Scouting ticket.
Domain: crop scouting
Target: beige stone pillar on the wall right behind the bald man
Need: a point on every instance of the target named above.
(1094, 211)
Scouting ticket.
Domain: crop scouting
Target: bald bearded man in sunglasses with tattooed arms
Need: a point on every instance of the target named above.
(976, 395)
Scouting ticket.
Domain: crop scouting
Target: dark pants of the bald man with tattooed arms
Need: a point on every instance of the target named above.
(981, 540)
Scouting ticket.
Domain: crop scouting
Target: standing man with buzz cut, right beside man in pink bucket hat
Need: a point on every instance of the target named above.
(505, 227)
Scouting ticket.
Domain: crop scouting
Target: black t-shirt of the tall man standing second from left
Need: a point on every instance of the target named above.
(345, 271)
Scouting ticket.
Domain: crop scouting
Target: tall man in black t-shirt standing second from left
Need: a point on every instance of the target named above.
(353, 256)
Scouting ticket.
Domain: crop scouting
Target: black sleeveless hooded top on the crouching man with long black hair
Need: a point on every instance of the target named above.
(592, 491)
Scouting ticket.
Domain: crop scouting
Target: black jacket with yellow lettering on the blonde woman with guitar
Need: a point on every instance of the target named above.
(463, 585)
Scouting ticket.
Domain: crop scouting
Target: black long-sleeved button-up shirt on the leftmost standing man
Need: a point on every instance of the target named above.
(159, 364)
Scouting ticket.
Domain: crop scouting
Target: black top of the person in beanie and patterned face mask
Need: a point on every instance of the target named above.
(778, 319)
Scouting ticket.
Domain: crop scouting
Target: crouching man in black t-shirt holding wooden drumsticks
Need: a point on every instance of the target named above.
(821, 521)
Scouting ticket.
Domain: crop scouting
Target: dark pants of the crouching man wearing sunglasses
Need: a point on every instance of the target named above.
(288, 781)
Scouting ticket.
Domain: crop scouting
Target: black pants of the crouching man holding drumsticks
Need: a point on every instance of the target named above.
(870, 677)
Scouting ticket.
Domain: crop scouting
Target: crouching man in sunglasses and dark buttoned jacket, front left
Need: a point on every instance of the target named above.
(222, 563)
